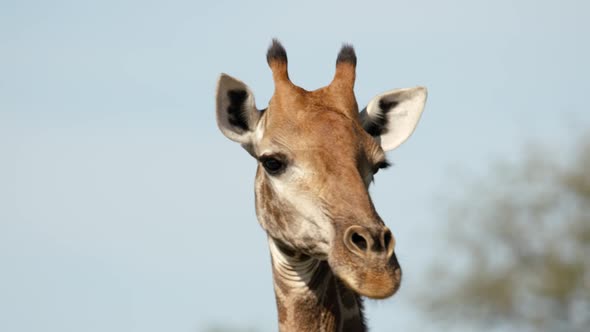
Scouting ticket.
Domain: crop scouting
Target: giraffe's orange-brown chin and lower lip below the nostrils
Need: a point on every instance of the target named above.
(370, 279)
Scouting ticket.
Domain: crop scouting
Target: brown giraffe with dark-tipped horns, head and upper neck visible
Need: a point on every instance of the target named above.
(317, 155)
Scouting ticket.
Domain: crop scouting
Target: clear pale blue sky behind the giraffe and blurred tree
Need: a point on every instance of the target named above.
(123, 208)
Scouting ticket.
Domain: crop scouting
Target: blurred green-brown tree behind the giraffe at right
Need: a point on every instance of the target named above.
(520, 242)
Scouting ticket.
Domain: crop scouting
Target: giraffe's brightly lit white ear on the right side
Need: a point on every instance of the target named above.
(391, 117)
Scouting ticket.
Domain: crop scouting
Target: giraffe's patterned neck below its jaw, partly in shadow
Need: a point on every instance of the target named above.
(310, 297)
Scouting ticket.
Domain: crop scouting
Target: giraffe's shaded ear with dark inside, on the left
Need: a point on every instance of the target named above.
(237, 114)
